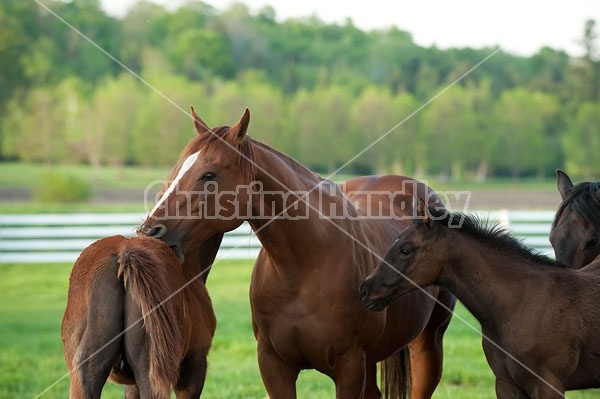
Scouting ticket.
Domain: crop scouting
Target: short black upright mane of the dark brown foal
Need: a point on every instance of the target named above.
(488, 232)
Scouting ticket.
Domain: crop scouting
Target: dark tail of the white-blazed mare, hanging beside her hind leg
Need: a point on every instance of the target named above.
(396, 376)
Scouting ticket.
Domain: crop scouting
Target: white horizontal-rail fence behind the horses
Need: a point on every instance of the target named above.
(56, 238)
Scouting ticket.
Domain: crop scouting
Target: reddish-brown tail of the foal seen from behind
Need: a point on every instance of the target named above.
(149, 284)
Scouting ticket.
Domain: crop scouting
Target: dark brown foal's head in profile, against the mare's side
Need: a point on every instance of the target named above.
(410, 263)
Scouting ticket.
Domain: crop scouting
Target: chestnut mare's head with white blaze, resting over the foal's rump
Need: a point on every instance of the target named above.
(208, 191)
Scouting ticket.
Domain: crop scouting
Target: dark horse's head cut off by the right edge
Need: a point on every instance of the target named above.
(575, 233)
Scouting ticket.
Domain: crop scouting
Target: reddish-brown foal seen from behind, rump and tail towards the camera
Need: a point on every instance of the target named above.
(128, 319)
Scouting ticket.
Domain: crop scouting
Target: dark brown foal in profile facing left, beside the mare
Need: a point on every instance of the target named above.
(540, 324)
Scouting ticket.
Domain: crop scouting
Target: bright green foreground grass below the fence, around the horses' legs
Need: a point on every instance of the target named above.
(32, 301)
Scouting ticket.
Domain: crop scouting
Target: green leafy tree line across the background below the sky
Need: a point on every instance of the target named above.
(320, 92)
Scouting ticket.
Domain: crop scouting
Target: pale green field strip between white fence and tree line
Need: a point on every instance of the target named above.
(122, 189)
